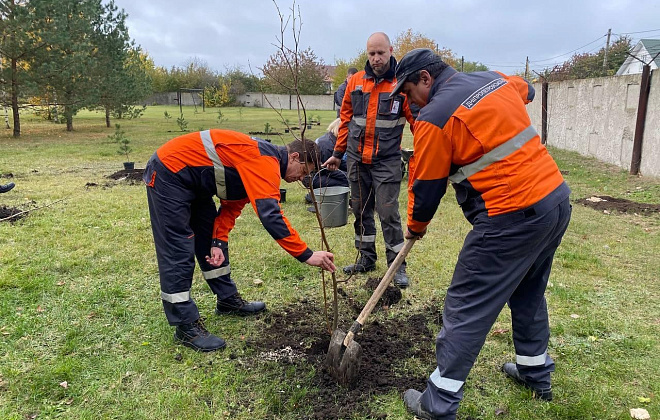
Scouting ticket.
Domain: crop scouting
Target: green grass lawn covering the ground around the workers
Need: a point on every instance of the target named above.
(79, 293)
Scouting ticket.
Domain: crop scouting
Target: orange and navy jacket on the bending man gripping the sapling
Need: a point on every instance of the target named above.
(238, 169)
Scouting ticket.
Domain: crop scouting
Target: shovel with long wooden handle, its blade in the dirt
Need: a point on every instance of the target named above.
(345, 368)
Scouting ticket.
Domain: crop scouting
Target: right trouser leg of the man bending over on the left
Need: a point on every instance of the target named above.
(218, 278)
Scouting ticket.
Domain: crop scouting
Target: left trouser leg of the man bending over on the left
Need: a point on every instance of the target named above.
(169, 204)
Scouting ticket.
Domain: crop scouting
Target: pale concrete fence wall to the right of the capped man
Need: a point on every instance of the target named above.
(597, 117)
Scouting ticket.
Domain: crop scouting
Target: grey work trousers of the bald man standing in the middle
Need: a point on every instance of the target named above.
(376, 187)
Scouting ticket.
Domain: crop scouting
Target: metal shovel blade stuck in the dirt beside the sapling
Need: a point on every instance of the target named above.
(343, 362)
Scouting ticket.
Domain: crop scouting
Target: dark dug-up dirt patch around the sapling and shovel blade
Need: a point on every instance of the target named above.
(298, 336)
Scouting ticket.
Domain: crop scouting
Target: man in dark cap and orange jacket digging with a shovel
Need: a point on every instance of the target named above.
(474, 131)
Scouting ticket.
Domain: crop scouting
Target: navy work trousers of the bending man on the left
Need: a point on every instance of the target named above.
(182, 224)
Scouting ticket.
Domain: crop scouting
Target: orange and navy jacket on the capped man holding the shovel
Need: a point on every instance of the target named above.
(475, 132)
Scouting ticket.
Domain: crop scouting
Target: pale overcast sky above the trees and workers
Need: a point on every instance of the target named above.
(500, 34)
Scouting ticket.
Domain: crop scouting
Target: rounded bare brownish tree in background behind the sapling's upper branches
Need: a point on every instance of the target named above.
(283, 65)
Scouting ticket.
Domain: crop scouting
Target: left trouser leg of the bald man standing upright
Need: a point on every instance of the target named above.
(362, 205)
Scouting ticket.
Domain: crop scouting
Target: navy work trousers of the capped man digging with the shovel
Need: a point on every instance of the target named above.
(504, 259)
